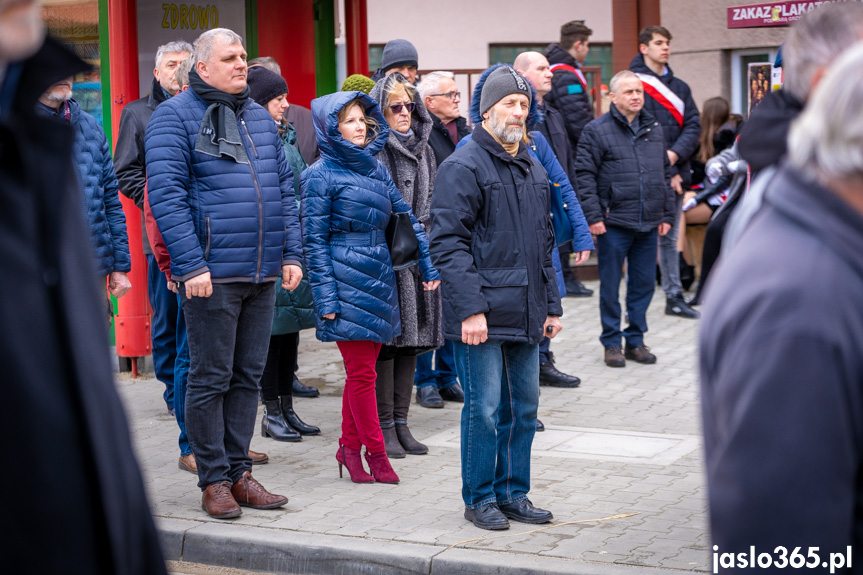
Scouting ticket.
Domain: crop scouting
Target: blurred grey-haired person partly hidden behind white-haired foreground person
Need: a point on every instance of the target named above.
(814, 42)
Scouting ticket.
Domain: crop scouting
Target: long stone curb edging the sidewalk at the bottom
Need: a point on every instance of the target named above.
(294, 552)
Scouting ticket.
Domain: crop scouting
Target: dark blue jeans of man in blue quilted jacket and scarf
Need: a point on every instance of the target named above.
(228, 335)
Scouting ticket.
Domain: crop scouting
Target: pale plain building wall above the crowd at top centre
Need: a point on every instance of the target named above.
(452, 34)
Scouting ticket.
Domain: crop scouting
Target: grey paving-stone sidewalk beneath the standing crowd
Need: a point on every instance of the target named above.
(628, 441)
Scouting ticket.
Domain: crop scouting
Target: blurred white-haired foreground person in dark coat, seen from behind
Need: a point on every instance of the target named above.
(780, 362)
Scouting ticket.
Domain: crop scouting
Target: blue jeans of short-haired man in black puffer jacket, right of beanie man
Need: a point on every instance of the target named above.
(638, 250)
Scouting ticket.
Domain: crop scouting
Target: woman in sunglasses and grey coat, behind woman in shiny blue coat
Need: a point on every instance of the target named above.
(411, 164)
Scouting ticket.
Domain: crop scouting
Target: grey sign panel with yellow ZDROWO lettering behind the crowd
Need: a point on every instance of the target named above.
(160, 22)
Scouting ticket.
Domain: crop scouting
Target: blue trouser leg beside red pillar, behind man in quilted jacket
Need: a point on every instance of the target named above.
(163, 330)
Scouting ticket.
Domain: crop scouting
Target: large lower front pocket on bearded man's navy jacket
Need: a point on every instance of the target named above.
(505, 292)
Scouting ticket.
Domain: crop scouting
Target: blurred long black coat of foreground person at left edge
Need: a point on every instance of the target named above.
(63, 432)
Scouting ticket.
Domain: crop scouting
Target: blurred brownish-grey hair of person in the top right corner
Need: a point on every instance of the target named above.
(816, 41)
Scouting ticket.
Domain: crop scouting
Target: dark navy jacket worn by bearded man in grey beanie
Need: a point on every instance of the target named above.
(491, 243)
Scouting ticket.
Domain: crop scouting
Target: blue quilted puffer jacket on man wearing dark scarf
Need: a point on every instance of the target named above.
(238, 221)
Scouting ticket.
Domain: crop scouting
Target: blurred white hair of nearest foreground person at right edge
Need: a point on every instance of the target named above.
(826, 138)
